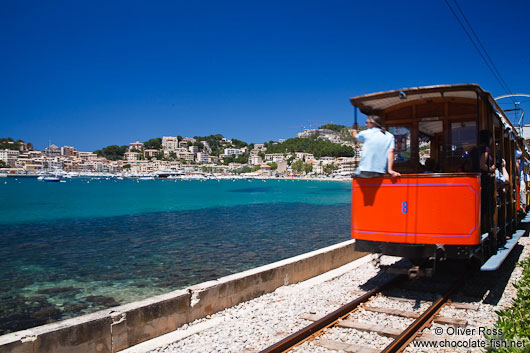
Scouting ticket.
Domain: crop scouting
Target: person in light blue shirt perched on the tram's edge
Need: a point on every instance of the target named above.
(378, 149)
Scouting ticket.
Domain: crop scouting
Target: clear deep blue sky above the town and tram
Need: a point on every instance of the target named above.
(96, 73)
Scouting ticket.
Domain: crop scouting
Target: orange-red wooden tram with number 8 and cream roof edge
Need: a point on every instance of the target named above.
(443, 213)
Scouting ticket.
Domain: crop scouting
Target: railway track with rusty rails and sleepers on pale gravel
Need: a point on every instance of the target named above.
(344, 317)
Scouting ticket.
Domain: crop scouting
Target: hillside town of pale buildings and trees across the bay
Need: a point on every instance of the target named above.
(175, 155)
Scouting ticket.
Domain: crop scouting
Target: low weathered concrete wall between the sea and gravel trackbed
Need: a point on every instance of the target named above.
(114, 329)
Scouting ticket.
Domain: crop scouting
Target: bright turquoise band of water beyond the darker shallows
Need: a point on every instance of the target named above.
(31, 200)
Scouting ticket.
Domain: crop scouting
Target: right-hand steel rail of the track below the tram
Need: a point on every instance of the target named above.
(410, 333)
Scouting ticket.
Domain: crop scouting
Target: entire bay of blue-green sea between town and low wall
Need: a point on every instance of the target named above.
(72, 248)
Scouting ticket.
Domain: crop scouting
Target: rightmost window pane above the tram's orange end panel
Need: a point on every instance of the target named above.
(463, 140)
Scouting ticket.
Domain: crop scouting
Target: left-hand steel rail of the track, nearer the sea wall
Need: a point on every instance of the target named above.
(328, 320)
